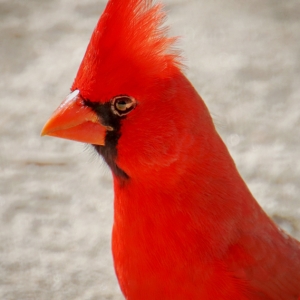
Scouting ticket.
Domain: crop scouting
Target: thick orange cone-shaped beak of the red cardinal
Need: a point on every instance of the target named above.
(74, 121)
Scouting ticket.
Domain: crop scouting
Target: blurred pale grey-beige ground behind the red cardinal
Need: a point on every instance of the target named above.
(56, 195)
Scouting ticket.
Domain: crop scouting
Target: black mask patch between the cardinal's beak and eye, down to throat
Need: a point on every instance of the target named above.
(109, 151)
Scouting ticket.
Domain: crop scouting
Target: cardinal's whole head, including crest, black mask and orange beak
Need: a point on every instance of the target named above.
(129, 98)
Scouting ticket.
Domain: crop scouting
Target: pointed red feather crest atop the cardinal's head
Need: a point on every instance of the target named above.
(128, 51)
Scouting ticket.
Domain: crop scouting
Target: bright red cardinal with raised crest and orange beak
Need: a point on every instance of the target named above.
(185, 224)
